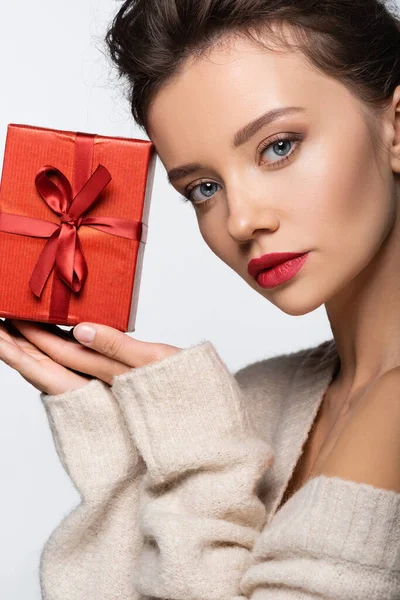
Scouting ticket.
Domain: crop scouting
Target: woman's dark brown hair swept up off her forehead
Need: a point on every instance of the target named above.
(355, 41)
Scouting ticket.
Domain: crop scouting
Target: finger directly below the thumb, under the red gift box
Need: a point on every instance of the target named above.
(69, 353)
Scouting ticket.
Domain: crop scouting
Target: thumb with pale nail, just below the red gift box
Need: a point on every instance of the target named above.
(120, 346)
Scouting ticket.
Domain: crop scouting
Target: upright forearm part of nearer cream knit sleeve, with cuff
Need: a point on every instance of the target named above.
(200, 514)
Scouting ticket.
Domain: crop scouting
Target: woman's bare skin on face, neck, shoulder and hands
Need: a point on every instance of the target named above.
(336, 197)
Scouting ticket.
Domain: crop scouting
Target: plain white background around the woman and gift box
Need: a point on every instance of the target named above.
(55, 74)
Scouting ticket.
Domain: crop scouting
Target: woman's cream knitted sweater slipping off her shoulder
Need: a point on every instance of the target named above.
(181, 466)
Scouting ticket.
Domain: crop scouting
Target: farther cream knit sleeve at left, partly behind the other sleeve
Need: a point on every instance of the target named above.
(93, 551)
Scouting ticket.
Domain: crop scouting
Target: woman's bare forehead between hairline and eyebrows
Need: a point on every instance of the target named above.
(229, 86)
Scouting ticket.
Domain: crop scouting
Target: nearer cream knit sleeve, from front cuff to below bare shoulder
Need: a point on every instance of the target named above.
(203, 524)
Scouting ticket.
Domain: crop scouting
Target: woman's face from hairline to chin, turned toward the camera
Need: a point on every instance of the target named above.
(321, 191)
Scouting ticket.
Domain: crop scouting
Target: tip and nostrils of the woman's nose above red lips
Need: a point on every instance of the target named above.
(249, 214)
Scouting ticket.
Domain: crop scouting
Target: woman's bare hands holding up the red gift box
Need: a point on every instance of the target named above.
(51, 360)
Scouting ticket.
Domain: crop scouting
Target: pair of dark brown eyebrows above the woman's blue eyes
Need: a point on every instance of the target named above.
(241, 137)
